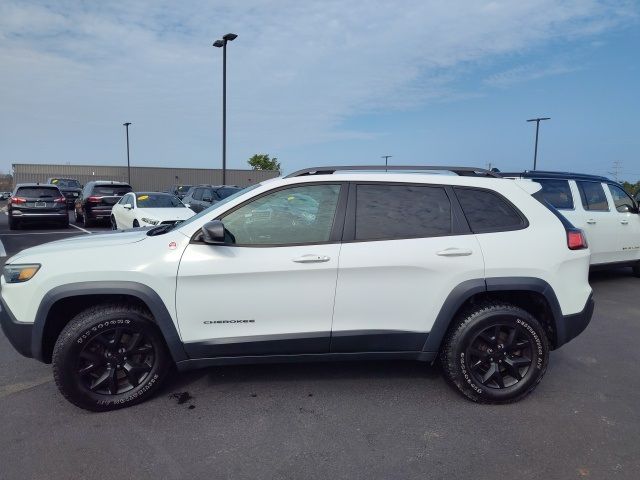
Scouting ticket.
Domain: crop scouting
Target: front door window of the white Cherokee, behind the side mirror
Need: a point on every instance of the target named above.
(291, 216)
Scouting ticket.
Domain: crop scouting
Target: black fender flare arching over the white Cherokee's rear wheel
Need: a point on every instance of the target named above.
(464, 291)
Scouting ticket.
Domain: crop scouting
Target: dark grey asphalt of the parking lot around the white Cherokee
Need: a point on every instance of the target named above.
(339, 420)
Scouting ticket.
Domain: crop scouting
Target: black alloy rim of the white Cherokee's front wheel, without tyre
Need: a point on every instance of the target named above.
(115, 361)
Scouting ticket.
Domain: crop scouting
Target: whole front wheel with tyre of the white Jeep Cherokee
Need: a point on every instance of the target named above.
(108, 357)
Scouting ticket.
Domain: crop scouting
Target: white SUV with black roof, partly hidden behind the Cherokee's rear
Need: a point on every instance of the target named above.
(599, 206)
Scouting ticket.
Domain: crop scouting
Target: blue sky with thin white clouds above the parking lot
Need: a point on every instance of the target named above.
(431, 82)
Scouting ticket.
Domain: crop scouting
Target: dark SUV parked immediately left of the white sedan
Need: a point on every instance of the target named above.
(97, 199)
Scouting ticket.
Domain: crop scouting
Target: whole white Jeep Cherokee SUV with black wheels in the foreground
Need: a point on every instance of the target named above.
(326, 263)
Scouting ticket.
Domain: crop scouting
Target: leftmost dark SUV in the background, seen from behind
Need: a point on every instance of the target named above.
(37, 202)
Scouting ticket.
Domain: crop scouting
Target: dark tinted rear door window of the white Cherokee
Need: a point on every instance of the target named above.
(401, 211)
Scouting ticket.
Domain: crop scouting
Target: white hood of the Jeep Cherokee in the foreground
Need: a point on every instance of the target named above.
(82, 242)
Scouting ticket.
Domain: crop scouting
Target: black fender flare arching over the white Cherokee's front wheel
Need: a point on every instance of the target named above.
(135, 289)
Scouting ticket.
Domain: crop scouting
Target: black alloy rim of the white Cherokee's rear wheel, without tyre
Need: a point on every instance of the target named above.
(500, 356)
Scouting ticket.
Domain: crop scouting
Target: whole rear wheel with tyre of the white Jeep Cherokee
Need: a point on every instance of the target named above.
(496, 353)
